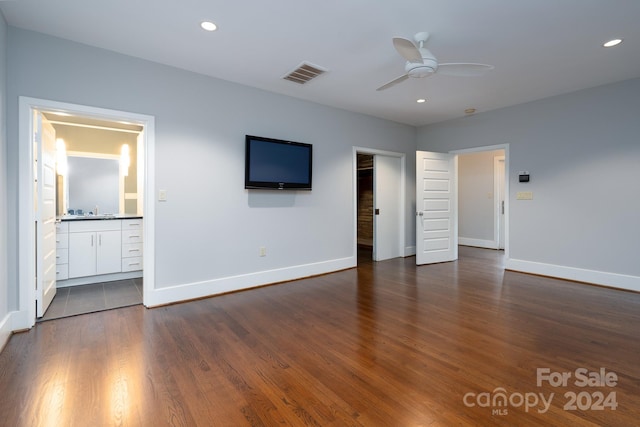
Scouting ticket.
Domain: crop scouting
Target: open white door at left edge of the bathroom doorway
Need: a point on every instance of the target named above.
(45, 144)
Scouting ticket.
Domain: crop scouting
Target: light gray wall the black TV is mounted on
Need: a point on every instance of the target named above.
(211, 227)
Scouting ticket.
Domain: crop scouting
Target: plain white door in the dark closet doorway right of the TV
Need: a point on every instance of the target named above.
(387, 232)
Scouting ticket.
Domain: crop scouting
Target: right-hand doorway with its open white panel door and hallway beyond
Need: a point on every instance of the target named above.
(444, 195)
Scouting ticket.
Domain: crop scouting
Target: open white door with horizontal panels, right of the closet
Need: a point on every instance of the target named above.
(436, 208)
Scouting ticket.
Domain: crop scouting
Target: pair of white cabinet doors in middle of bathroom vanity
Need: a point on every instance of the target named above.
(94, 247)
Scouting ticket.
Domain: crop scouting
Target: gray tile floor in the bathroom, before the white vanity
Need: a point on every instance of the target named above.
(74, 300)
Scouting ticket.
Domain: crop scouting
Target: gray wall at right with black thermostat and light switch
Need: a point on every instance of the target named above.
(583, 154)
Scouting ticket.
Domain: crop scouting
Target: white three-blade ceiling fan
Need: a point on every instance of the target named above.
(421, 62)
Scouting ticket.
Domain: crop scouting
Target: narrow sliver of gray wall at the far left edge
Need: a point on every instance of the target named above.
(4, 291)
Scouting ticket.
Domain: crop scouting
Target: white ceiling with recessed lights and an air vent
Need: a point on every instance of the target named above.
(539, 48)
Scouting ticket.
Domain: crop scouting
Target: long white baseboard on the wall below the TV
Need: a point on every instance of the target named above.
(189, 291)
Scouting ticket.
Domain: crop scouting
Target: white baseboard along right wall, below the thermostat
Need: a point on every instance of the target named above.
(612, 280)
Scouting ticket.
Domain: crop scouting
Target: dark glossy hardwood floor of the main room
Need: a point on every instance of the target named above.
(386, 344)
